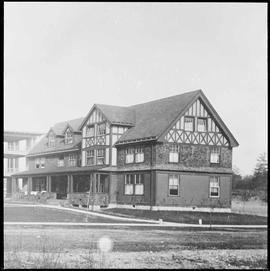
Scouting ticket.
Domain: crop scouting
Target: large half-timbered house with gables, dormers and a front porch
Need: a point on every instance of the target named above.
(169, 154)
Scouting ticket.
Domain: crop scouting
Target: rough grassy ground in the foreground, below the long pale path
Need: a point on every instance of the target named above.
(134, 248)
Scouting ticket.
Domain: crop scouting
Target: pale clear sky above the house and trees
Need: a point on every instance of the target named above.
(60, 58)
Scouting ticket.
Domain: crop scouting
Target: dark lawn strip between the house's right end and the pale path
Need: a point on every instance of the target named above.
(191, 217)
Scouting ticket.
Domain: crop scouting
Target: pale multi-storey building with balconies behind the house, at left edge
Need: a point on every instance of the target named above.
(16, 146)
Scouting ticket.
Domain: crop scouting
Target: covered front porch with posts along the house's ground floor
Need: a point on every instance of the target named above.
(88, 189)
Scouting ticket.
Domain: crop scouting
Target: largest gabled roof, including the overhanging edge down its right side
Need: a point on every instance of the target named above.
(154, 118)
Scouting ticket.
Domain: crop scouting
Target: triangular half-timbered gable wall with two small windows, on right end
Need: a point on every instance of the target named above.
(196, 127)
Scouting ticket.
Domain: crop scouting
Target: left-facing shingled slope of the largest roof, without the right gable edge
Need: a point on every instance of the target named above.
(152, 118)
